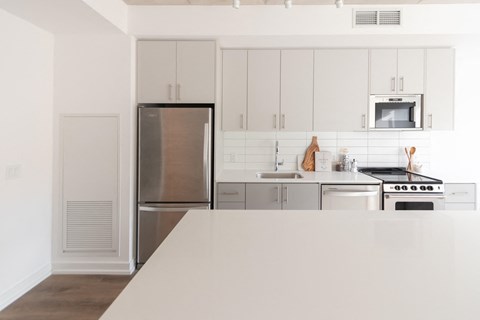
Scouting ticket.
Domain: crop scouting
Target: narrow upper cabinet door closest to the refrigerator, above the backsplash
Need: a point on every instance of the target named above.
(234, 90)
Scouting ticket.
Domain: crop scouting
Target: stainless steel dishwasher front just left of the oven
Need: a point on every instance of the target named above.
(351, 197)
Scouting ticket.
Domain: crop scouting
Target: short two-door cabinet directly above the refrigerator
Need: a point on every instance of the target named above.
(175, 71)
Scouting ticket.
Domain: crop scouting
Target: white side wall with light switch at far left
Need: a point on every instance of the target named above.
(26, 90)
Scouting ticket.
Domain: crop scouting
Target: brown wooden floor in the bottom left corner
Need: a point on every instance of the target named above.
(67, 297)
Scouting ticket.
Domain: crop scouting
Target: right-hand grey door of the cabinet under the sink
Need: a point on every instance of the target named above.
(300, 196)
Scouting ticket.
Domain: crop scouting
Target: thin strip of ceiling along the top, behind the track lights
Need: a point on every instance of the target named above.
(295, 2)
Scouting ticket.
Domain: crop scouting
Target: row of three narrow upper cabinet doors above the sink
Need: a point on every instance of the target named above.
(267, 90)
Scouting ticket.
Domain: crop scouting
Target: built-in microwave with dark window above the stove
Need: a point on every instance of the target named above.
(395, 112)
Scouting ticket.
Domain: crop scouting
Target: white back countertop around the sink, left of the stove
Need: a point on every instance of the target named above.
(308, 177)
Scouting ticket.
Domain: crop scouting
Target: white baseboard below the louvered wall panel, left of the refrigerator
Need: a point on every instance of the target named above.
(94, 267)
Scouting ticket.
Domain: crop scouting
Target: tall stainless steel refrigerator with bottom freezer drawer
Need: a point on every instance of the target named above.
(175, 169)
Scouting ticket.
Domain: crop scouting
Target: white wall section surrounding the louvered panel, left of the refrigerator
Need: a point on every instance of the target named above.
(93, 76)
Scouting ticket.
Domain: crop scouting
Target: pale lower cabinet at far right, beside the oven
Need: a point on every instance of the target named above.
(460, 196)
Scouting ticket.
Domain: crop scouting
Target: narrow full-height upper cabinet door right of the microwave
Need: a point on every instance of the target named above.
(440, 89)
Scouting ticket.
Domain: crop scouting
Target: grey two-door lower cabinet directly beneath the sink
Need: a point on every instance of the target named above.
(291, 196)
